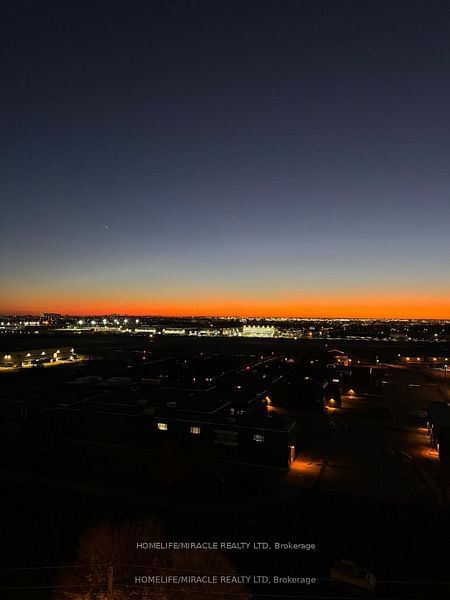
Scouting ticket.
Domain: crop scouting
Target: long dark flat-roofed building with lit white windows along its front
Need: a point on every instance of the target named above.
(236, 427)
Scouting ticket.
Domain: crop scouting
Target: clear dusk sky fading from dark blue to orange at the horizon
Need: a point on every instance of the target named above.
(254, 158)
